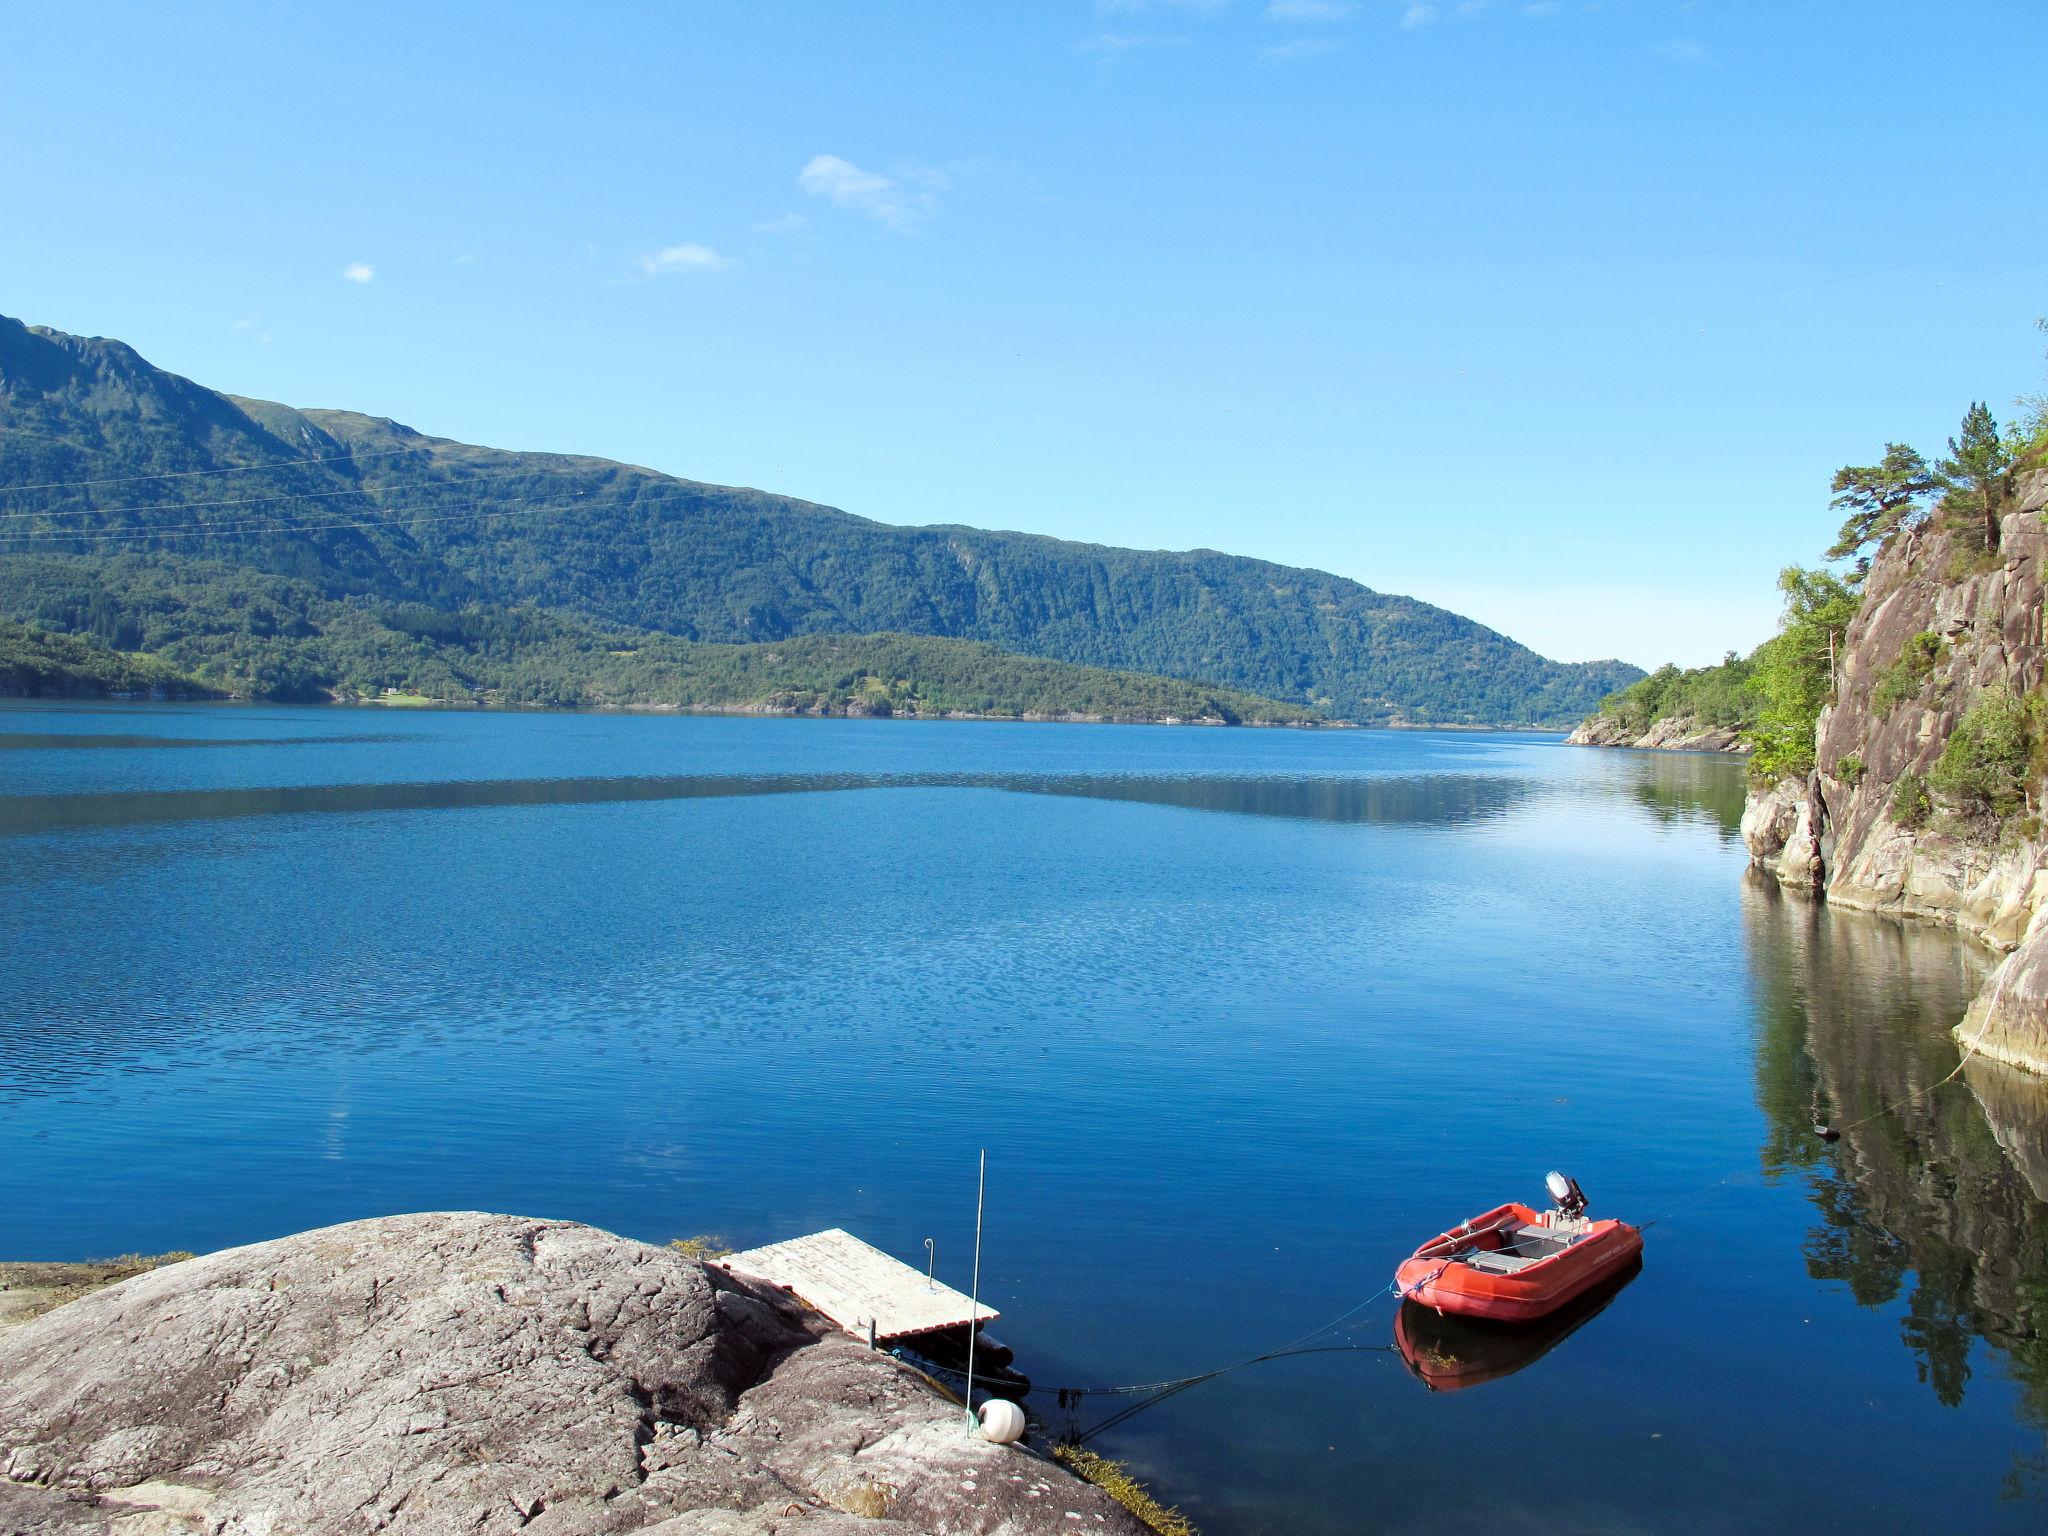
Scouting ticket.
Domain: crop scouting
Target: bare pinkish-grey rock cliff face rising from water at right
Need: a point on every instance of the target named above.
(1836, 835)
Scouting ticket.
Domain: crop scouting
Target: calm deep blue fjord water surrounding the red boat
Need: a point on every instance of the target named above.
(1242, 1017)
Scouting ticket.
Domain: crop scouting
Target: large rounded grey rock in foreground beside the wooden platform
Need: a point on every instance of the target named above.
(470, 1373)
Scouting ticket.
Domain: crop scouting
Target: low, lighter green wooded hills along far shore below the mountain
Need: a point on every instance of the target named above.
(224, 630)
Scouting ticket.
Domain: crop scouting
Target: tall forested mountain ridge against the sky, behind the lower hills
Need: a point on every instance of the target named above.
(103, 456)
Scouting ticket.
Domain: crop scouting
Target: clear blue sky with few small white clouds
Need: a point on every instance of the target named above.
(1558, 314)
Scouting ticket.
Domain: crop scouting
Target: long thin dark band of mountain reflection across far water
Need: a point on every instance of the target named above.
(1437, 800)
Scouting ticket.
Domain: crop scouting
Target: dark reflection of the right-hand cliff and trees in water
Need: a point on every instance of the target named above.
(1938, 1195)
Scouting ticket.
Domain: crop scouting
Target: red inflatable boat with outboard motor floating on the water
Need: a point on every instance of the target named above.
(1517, 1265)
